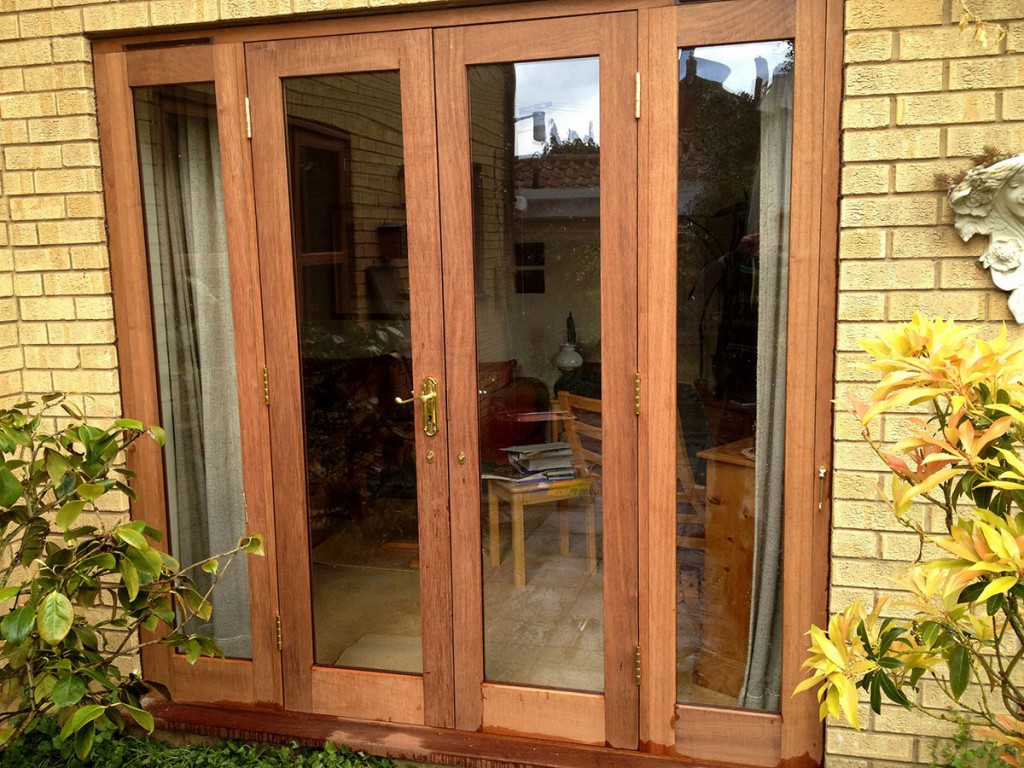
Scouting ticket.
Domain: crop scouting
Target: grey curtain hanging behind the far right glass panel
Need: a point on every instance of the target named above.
(763, 682)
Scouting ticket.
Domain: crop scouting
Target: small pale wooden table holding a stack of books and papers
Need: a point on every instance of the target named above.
(519, 497)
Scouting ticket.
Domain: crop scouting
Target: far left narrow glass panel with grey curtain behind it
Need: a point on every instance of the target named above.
(180, 158)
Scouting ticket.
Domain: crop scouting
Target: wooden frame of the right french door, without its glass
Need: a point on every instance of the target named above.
(612, 718)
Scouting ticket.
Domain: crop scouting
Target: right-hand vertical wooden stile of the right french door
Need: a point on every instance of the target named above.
(619, 368)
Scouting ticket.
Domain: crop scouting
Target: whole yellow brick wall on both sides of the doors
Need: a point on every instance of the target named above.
(919, 99)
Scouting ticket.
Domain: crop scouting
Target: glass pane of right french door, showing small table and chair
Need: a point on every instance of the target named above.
(536, 155)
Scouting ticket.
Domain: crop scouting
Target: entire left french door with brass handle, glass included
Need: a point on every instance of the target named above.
(365, 328)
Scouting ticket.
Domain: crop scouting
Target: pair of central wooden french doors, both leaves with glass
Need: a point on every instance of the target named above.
(395, 240)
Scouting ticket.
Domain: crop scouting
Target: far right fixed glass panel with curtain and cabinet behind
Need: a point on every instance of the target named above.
(736, 105)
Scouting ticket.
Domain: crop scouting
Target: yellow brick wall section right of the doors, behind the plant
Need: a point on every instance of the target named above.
(919, 99)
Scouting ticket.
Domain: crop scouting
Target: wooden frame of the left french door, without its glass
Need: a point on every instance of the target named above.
(423, 699)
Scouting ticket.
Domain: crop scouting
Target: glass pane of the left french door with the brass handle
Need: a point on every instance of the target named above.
(352, 277)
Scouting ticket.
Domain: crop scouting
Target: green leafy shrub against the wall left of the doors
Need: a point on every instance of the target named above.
(76, 588)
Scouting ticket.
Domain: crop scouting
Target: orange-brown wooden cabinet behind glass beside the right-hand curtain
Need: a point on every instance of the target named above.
(729, 568)
